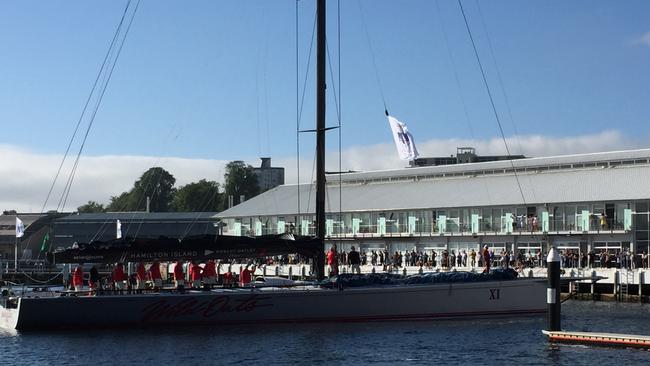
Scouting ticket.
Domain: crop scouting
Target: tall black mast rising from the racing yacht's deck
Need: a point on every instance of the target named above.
(319, 260)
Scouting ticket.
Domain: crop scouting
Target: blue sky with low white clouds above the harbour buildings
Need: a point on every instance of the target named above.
(201, 83)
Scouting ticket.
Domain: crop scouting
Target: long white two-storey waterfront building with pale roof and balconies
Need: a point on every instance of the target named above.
(586, 202)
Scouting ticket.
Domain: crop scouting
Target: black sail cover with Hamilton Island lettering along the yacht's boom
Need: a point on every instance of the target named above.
(200, 248)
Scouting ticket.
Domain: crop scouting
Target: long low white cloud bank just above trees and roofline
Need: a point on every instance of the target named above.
(27, 176)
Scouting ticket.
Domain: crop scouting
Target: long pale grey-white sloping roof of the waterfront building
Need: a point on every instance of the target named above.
(616, 176)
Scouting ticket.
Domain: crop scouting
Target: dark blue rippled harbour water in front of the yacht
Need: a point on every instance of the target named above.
(501, 341)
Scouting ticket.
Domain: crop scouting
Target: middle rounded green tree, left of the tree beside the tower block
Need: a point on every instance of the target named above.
(201, 196)
